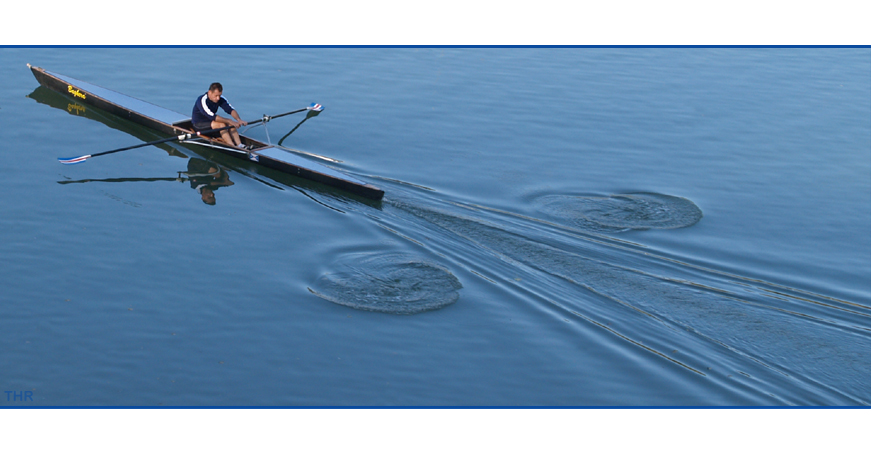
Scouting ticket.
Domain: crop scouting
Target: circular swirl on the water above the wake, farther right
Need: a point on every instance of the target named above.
(623, 211)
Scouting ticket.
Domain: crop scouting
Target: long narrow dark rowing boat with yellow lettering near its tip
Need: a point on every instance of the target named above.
(172, 123)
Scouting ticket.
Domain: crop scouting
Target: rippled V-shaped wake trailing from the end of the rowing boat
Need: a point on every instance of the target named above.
(673, 302)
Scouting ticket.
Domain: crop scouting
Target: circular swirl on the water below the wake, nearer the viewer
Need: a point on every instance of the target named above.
(390, 283)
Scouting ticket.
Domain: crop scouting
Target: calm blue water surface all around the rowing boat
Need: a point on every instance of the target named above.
(561, 227)
